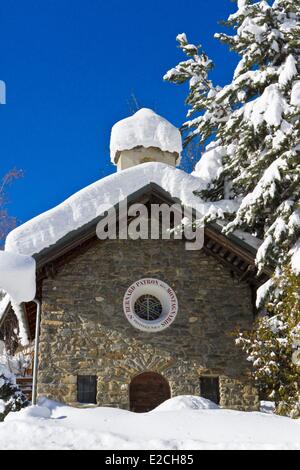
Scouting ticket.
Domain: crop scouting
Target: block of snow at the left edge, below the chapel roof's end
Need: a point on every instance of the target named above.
(17, 276)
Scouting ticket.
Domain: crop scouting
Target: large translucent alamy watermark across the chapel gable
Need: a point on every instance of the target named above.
(151, 221)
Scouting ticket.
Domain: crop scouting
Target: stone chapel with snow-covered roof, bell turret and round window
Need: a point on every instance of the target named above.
(130, 323)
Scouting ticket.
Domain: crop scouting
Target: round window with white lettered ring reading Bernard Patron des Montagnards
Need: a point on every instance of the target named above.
(150, 305)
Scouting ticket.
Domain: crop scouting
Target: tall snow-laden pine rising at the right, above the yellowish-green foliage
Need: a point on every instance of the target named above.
(259, 139)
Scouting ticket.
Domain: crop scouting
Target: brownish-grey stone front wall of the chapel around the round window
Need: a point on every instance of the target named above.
(84, 329)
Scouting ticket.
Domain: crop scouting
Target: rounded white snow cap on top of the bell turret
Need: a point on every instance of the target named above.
(145, 128)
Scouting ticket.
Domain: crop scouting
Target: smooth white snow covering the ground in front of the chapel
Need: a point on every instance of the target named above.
(55, 426)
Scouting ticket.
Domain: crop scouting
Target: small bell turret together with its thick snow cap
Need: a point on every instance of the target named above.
(144, 137)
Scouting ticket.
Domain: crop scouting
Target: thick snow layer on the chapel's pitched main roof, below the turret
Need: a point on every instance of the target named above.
(86, 205)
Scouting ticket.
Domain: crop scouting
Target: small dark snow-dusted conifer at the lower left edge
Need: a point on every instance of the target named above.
(11, 397)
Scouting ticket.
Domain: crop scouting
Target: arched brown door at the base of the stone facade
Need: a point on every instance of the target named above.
(147, 391)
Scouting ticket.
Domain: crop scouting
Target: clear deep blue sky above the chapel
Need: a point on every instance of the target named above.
(70, 67)
